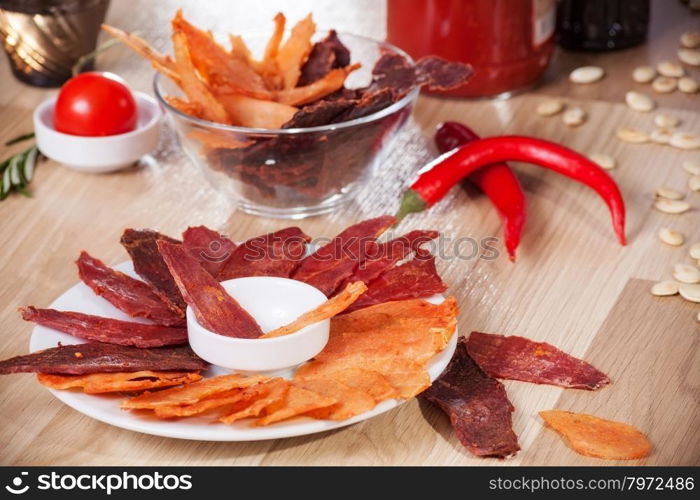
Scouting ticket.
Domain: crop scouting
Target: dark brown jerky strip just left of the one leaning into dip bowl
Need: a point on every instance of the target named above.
(141, 245)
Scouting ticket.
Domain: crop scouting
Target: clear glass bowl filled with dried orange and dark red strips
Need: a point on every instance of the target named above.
(300, 172)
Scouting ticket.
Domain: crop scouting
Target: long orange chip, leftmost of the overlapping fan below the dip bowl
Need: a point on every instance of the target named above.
(191, 393)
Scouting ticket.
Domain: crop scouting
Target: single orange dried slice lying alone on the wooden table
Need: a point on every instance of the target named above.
(596, 437)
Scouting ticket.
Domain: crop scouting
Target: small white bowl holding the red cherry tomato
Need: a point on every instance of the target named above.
(104, 153)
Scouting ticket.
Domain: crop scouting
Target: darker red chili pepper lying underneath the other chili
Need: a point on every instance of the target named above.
(497, 181)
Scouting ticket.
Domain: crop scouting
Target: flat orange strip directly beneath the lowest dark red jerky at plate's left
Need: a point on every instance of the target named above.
(100, 383)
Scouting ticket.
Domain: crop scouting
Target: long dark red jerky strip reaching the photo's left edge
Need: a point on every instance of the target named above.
(96, 357)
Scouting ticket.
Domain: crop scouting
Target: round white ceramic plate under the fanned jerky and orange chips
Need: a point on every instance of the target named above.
(106, 408)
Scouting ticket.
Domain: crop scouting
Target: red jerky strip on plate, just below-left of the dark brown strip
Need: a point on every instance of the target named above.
(134, 297)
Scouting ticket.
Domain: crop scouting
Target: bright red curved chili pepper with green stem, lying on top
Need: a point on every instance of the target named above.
(438, 177)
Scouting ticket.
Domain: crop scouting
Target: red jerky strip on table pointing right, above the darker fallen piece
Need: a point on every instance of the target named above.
(518, 358)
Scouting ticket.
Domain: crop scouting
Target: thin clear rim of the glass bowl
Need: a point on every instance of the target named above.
(377, 115)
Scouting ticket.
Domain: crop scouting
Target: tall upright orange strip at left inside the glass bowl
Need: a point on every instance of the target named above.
(196, 91)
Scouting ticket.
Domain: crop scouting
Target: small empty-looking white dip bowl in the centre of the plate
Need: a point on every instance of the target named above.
(273, 302)
